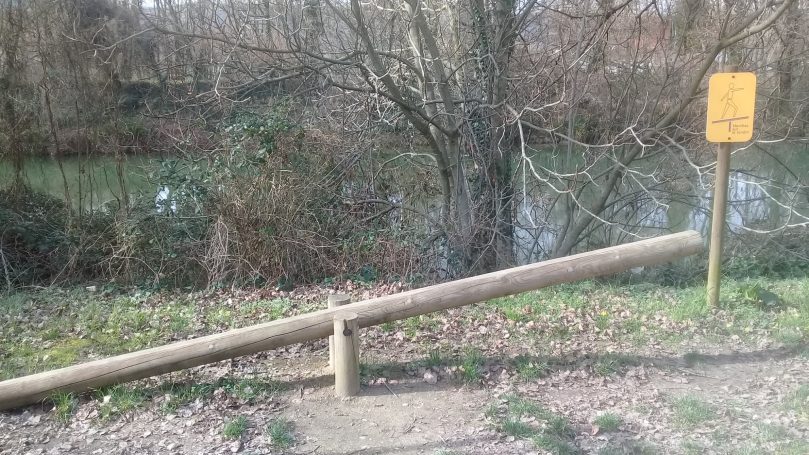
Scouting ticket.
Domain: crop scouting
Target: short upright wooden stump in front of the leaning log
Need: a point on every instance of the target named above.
(346, 354)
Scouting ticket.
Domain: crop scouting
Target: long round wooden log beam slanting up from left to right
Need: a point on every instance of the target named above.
(319, 324)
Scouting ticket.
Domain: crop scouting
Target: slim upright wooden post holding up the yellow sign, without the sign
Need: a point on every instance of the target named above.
(720, 202)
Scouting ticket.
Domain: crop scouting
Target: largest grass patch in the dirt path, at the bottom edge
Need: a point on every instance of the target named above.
(526, 419)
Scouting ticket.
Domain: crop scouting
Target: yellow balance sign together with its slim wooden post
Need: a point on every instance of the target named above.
(731, 105)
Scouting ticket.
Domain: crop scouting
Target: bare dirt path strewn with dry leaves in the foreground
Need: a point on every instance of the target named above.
(403, 414)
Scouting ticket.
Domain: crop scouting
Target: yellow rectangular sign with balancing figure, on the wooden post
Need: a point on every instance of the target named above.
(731, 104)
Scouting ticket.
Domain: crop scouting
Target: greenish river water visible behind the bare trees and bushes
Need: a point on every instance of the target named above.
(767, 191)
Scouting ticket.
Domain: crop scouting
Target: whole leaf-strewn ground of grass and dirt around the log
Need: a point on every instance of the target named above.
(591, 367)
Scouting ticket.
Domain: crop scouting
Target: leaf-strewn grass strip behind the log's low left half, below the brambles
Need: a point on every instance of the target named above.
(73, 325)
